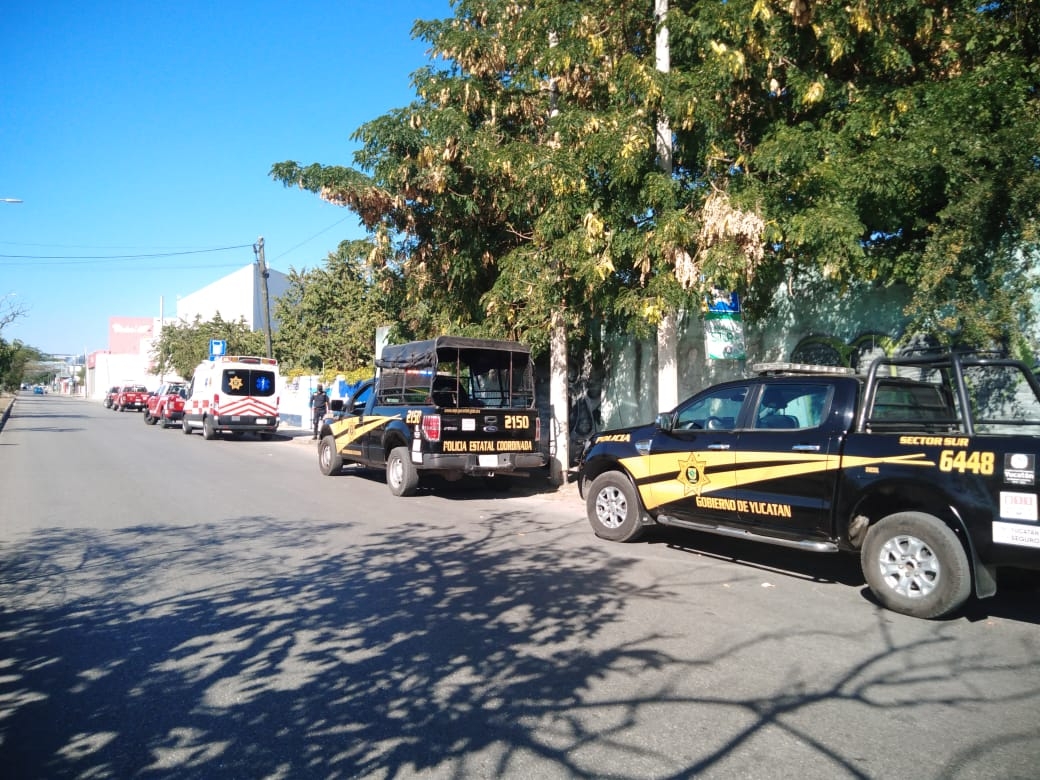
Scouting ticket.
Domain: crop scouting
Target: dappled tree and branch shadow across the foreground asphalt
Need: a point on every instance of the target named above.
(264, 648)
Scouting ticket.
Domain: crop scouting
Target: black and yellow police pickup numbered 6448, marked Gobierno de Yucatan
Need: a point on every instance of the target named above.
(926, 467)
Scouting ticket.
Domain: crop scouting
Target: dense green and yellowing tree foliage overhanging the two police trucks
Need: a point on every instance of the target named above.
(891, 142)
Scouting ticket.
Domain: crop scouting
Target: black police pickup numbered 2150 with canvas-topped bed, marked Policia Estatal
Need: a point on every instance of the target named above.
(451, 407)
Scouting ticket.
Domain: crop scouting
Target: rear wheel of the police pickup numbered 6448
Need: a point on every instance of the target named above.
(916, 565)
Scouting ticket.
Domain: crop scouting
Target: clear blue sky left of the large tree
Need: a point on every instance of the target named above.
(139, 128)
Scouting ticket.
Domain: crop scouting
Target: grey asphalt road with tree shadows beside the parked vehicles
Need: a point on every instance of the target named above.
(172, 607)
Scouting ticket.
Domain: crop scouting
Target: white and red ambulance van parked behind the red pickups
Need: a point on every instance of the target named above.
(233, 395)
